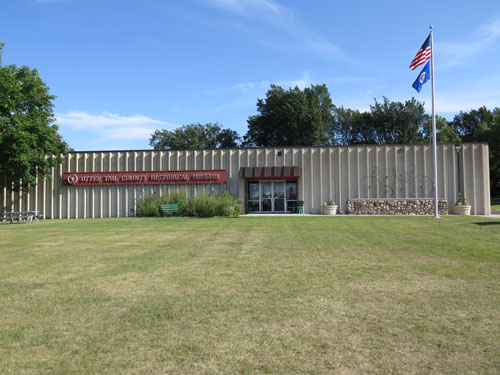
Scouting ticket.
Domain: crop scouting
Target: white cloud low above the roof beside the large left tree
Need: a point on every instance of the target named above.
(112, 126)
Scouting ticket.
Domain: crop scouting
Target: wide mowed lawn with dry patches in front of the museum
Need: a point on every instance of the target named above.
(251, 295)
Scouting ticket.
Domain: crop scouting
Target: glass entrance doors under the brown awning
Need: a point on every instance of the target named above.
(265, 196)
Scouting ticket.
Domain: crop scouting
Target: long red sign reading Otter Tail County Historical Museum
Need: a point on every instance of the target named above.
(214, 176)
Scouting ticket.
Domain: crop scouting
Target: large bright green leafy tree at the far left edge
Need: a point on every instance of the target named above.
(29, 141)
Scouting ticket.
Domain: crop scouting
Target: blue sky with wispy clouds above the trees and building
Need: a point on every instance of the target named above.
(122, 68)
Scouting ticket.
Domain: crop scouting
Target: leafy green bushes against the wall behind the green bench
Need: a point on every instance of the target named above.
(202, 205)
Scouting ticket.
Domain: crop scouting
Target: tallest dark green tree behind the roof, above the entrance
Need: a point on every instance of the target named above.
(291, 117)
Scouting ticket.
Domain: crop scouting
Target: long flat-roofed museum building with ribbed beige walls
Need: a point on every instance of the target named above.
(100, 184)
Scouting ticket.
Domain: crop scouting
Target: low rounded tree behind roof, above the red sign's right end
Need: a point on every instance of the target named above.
(194, 136)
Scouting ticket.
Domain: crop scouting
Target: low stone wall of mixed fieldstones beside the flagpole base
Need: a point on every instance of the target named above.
(407, 206)
